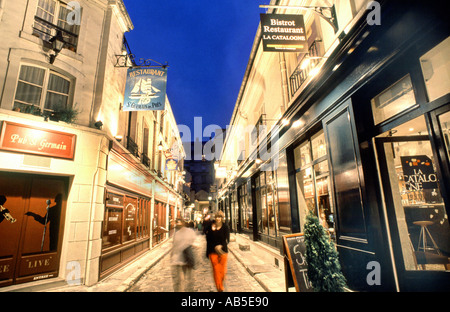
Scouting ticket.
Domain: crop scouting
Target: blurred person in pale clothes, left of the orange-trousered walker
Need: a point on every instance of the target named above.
(182, 257)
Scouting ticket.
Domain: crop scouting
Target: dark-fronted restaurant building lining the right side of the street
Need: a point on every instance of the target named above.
(355, 130)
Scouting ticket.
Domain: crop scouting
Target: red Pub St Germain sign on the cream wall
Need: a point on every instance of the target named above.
(26, 139)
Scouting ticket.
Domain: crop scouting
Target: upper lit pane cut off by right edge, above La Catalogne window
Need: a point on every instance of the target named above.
(436, 70)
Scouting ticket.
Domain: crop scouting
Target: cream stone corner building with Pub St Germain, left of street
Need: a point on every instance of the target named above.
(84, 181)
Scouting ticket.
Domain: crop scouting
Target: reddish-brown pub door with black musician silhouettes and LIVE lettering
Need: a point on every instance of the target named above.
(31, 233)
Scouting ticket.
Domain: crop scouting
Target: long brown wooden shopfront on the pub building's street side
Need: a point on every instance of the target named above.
(130, 194)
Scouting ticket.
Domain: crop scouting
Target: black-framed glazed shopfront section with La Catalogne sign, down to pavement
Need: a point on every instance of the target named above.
(414, 173)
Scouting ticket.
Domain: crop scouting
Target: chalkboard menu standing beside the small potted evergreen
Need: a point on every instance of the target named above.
(295, 265)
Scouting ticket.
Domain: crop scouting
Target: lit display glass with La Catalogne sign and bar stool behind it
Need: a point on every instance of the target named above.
(416, 201)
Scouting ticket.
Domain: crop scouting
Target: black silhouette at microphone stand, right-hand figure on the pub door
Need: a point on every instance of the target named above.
(53, 217)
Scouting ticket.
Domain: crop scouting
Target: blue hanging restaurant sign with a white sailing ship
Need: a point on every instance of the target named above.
(145, 89)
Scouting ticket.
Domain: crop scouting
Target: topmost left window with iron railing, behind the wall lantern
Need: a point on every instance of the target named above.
(52, 15)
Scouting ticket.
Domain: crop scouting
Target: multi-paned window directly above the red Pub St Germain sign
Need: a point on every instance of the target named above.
(41, 90)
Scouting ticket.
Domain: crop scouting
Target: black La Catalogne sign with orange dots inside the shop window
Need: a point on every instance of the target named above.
(418, 173)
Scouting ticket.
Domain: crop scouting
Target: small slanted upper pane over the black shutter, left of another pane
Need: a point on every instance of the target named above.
(393, 100)
